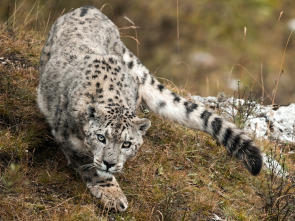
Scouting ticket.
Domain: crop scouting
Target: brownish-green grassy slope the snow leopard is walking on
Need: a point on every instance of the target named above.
(179, 174)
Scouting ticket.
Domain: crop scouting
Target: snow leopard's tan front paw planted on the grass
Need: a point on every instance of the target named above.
(112, 197)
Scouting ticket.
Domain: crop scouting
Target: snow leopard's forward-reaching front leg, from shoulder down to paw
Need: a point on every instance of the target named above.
(102, 185)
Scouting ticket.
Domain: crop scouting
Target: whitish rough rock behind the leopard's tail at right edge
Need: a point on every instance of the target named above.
(263, 122)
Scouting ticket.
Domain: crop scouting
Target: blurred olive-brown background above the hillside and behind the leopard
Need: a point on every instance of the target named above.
(218, 43)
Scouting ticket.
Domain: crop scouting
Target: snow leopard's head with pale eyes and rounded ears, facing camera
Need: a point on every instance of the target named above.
(113, 135)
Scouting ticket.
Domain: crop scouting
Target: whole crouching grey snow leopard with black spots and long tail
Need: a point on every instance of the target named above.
(90, 86)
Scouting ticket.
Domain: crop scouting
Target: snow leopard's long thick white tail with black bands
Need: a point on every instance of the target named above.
(193, 115)
